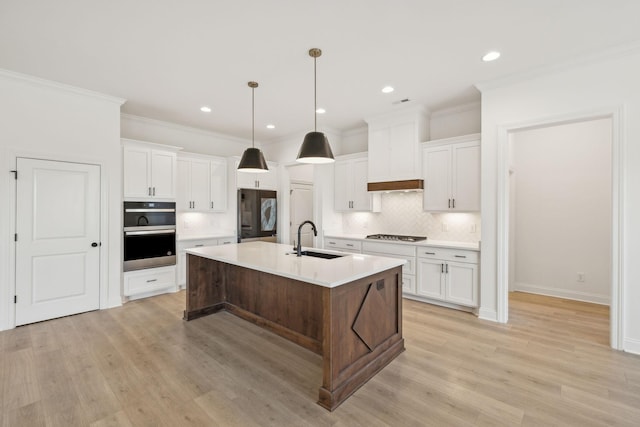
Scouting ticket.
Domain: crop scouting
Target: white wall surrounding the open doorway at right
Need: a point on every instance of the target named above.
(586, 89)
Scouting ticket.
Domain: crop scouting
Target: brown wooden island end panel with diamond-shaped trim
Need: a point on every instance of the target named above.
(362, 333)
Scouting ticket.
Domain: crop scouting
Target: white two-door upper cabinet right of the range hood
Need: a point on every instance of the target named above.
(451, 169)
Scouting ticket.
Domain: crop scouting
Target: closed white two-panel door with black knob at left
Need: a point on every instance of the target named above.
(57, 249)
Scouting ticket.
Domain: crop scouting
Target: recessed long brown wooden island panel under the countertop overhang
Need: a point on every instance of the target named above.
(288, 307)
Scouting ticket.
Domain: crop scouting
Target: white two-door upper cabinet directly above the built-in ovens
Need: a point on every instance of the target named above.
(149, 171)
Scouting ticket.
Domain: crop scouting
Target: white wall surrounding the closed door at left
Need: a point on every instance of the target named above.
(47, 120)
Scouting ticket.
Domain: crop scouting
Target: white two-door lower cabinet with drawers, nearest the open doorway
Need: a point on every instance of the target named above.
(449, 275)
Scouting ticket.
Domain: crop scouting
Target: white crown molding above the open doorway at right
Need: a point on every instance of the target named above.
(575, 62)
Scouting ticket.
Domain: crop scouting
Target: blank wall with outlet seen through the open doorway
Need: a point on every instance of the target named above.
(562, 210)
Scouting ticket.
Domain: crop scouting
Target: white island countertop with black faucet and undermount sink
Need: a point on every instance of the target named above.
(281, 260)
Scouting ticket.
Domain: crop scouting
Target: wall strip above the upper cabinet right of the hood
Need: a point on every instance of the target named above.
(456, 121)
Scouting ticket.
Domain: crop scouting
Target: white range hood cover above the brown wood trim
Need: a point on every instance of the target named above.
(394, 145)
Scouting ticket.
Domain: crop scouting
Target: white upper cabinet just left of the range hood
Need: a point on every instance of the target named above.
(350, 185)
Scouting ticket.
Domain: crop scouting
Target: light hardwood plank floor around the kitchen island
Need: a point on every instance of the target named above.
(142, 365)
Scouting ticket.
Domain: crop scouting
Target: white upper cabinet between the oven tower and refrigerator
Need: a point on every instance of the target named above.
(202, 183)
